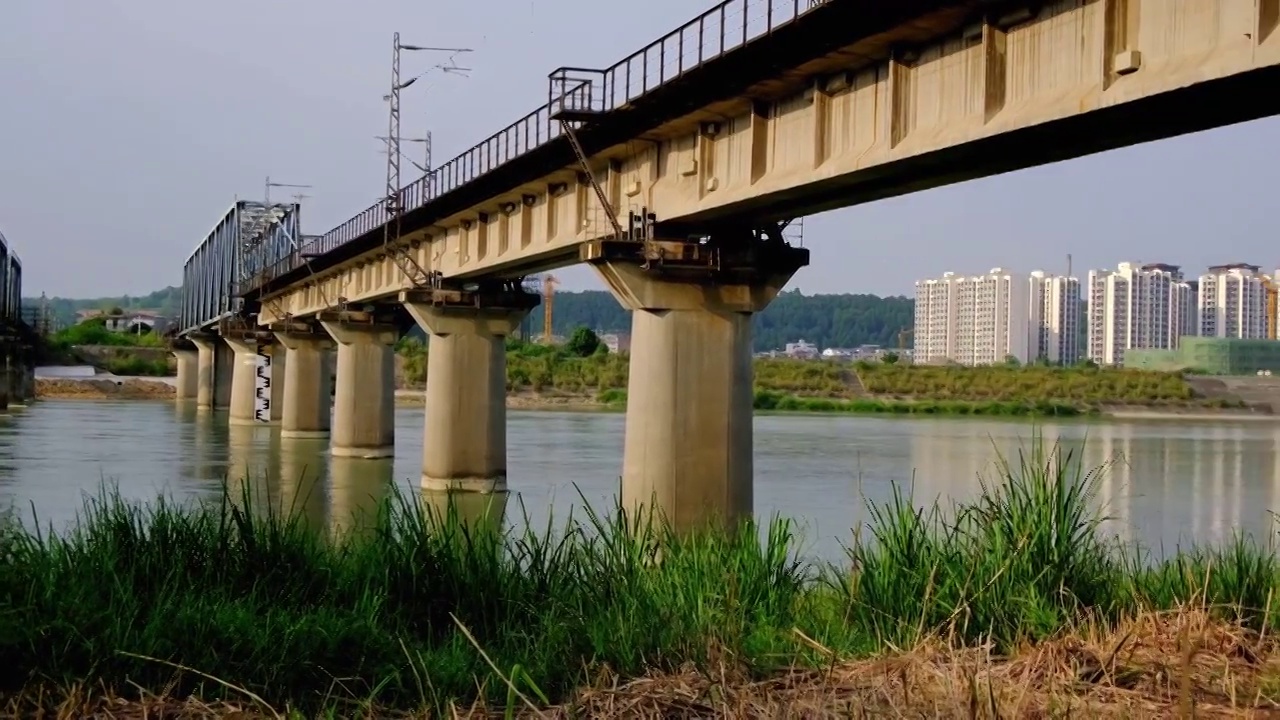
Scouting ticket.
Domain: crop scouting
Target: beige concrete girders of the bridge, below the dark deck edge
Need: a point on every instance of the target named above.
(977, 101)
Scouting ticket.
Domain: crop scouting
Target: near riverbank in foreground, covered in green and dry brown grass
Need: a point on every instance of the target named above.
(1013, 603)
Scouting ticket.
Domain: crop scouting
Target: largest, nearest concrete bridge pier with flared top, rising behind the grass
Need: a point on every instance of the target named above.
(689, 441)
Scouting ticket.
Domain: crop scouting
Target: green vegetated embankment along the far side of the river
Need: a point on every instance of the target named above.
(556, 379)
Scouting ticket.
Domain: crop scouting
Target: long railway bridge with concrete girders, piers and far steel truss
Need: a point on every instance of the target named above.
(675, 174)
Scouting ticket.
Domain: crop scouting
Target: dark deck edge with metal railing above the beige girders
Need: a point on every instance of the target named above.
(733, 51)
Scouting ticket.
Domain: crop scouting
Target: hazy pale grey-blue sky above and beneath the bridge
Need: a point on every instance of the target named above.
(127, 129)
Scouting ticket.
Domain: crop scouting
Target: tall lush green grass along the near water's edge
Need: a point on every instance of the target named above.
(397, 616)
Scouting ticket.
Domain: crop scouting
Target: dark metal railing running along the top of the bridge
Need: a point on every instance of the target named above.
(729, 26)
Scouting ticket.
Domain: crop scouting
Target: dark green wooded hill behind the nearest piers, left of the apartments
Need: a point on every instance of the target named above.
(828, 321)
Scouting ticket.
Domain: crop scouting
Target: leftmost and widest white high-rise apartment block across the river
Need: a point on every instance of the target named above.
(972, 321)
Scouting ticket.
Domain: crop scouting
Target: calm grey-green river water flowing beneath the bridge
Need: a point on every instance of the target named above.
(1169, 484)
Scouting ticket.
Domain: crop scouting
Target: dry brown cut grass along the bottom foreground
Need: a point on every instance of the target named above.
(1160, 666)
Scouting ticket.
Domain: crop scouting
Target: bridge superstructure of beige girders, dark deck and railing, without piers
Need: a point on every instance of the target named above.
(838, 106)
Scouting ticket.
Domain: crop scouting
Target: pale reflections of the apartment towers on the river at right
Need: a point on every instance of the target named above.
(1160, 485)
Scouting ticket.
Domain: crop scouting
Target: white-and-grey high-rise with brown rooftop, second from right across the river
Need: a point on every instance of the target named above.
(1148, 307)
